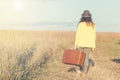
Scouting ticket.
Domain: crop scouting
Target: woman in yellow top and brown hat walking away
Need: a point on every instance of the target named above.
(85, 38)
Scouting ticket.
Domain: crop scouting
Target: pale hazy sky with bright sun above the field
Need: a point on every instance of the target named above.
(58, 14)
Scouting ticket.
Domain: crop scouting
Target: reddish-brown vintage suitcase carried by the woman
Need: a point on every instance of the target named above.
(73, 57)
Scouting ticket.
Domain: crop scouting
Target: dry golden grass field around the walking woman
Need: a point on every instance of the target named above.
(37, 55)
